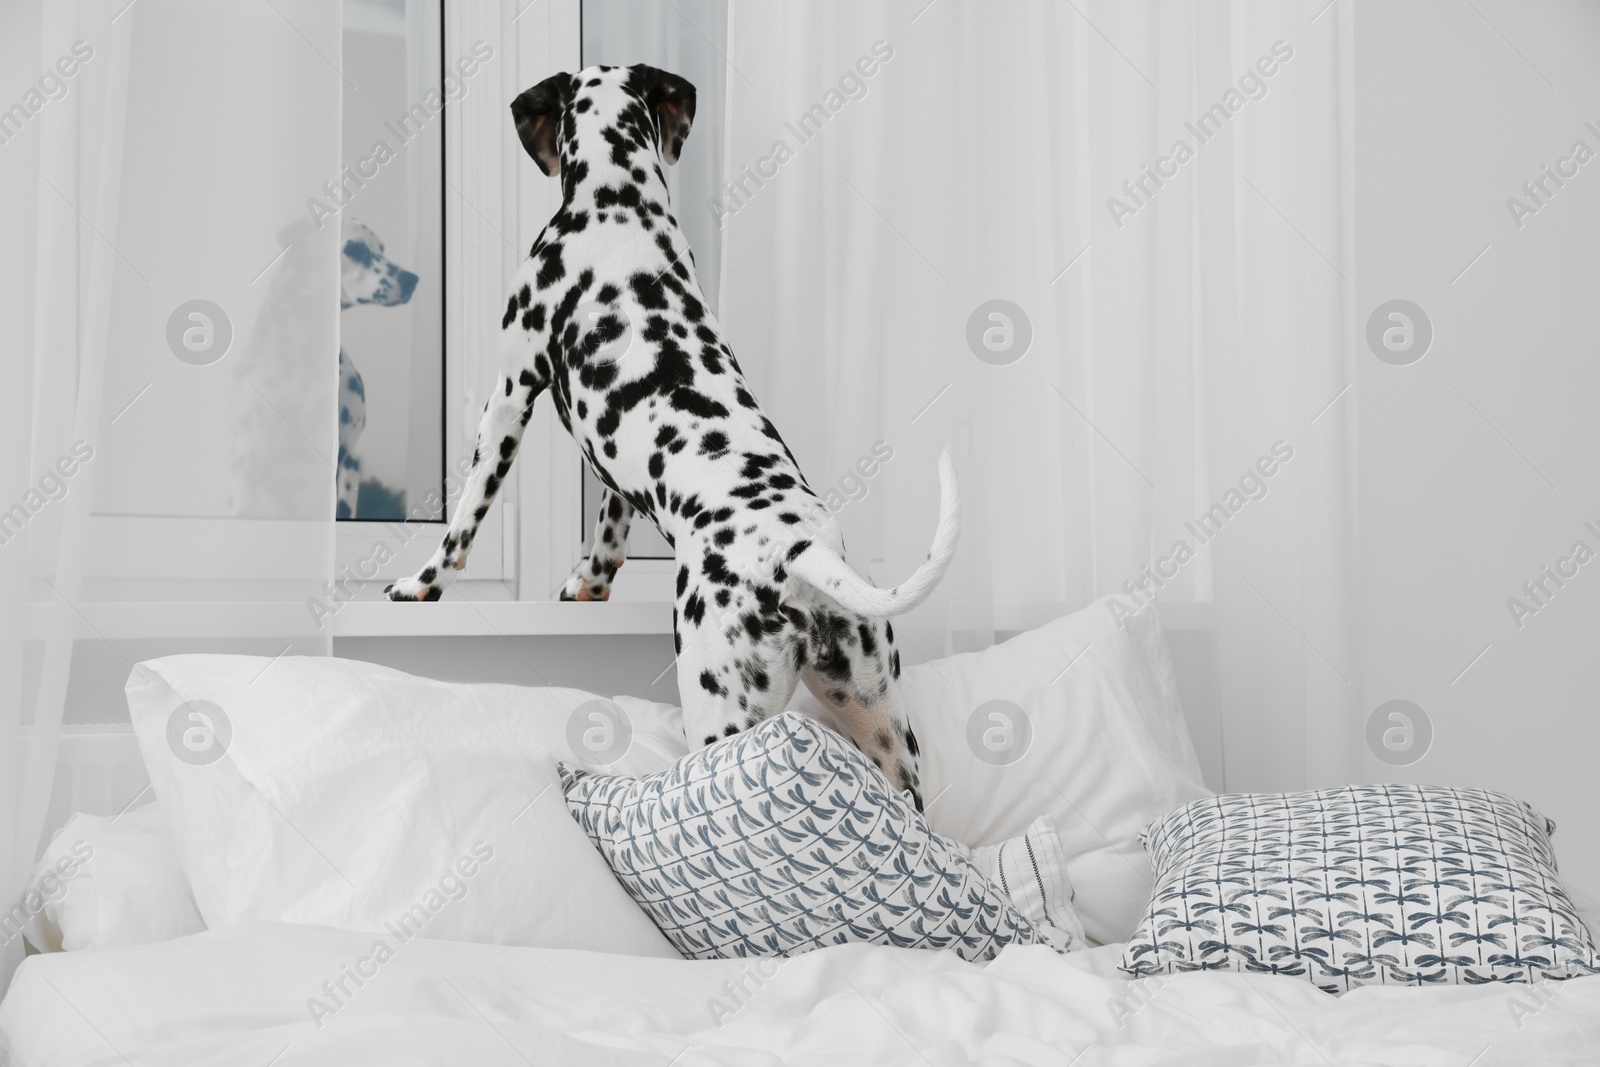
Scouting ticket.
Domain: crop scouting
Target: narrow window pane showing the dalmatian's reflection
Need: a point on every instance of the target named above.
(393, 265)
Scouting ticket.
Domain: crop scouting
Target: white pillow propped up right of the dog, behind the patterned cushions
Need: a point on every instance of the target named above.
(1078, 721)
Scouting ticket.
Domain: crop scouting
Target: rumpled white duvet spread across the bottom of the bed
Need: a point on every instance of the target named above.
(241, 996)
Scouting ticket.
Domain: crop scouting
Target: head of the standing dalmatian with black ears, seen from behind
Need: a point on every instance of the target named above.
(606, 114)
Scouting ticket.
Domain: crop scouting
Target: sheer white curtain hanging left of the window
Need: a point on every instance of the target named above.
(172, 354)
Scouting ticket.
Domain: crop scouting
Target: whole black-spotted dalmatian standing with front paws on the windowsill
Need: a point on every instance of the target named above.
(673, 431)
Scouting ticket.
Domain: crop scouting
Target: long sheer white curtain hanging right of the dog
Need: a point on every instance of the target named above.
(918, 161)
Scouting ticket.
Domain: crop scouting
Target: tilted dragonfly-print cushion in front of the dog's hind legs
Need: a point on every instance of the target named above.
(786, 839)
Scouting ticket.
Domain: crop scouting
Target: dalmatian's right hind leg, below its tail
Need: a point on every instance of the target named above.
(855, 673)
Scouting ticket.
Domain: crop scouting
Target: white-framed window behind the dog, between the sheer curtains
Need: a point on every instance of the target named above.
(458, 207)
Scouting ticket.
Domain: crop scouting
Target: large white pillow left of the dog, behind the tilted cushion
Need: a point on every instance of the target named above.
(338, 793)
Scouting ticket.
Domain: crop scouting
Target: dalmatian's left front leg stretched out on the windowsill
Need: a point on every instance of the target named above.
(500, 434)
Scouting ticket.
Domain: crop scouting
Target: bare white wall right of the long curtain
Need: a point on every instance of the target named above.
(1478, 462)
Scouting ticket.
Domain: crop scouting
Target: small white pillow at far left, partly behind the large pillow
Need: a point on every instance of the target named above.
(108, 882)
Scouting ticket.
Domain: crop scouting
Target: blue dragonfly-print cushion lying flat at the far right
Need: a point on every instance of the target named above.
(1358, 887)
